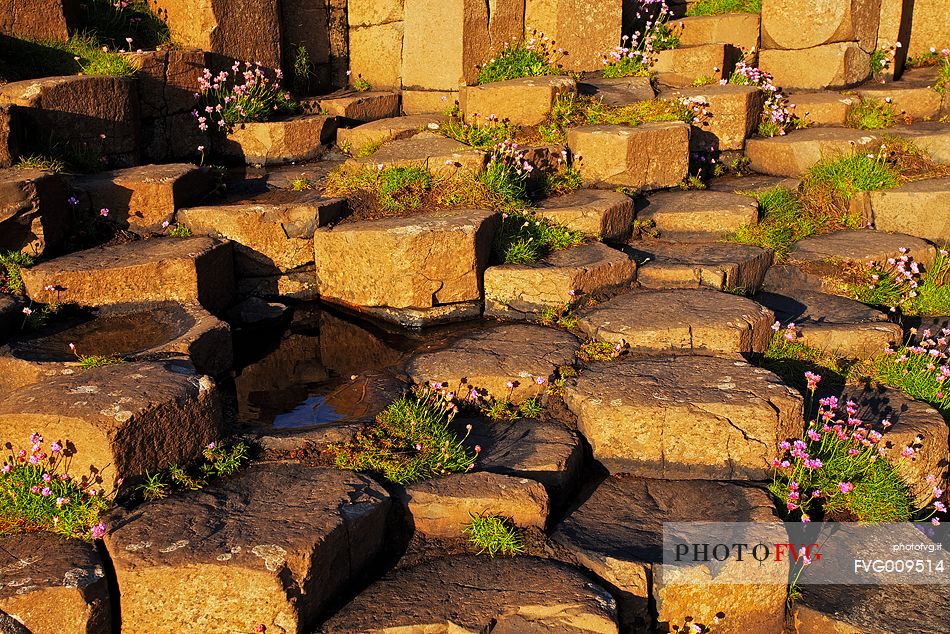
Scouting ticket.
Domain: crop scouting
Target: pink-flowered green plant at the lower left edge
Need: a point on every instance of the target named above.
(37, 492)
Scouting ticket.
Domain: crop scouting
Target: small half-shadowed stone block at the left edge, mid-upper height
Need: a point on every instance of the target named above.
(34, 215)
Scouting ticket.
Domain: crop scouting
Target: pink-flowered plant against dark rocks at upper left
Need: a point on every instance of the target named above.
(244, 94)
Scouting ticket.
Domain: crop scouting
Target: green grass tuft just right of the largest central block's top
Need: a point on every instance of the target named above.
(524, 238)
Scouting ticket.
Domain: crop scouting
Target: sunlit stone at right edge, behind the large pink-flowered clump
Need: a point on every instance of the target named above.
(911, 420)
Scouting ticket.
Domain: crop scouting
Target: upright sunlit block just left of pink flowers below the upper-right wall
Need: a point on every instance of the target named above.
(731, 114)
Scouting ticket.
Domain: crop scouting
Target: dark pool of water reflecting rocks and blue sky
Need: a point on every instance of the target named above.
(303, 376)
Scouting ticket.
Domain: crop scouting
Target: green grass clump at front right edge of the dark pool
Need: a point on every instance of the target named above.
(411, 440)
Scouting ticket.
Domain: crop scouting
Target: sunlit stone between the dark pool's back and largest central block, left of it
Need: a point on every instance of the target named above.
(272, 233)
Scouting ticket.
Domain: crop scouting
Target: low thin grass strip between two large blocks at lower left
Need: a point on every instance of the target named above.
(217, 461)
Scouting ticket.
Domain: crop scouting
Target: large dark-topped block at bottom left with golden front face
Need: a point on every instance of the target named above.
(271, 546)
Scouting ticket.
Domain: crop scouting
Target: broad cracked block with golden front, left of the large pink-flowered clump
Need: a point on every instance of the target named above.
(691, 417)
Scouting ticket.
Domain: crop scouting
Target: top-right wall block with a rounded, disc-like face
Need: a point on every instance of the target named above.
(787, 24)
